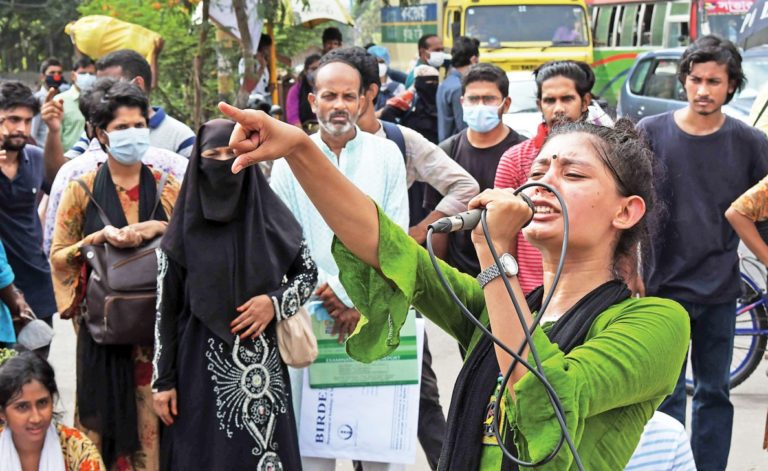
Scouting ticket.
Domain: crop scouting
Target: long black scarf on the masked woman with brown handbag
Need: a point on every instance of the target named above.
(106, 398)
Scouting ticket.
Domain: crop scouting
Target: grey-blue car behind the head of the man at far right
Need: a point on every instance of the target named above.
(652, 86)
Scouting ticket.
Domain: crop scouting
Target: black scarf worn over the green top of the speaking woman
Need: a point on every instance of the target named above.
(477, 380)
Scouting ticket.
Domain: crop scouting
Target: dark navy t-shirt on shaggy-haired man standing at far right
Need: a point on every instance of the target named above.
(694, 255)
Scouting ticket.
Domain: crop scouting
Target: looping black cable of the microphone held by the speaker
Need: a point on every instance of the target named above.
(538, 371)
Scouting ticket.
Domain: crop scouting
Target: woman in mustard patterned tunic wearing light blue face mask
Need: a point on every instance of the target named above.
(114, 399)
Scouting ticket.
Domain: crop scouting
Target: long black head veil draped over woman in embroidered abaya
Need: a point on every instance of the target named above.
(232, 234)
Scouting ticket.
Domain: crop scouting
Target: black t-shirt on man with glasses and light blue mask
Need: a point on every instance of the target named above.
(481, 164)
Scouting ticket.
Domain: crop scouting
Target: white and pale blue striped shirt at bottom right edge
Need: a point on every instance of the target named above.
(664, 446)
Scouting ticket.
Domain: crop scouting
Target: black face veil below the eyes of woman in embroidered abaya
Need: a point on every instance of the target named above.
(220, 190)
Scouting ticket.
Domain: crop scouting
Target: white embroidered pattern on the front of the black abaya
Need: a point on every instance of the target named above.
(250, 393)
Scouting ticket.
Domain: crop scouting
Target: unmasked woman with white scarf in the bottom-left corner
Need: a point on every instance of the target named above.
(30, 438)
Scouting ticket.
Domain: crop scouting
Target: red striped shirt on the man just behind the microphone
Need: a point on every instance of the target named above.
(513, 171)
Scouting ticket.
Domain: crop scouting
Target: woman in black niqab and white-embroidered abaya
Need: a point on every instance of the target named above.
(233, 263)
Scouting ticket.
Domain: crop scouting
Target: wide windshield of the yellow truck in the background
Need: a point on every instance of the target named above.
(559, 25)
